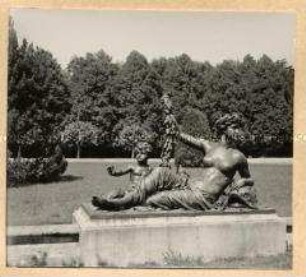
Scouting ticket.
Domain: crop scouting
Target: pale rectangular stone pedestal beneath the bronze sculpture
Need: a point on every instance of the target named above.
(130, 238)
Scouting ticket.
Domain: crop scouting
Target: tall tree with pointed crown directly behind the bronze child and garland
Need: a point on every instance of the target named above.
(136, 95)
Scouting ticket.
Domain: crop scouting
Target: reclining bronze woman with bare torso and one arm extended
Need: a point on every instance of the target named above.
(164, 189)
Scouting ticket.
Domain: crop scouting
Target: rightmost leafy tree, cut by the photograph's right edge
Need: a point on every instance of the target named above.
(270, 116)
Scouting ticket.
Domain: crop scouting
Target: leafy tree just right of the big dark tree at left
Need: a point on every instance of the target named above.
(89, 79)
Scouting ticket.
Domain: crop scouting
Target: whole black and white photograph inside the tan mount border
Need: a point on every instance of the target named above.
(150, 139)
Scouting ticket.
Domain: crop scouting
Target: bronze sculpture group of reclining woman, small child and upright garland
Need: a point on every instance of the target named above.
(216, 188)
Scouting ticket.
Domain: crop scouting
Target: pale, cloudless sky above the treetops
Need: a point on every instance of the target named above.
(204, 36)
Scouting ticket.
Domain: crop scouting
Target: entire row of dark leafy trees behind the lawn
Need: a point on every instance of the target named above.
(98, 108)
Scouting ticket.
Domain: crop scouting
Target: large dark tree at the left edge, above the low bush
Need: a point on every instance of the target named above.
(38, 97)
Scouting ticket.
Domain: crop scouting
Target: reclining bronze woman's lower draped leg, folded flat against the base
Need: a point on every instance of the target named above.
(176, 199)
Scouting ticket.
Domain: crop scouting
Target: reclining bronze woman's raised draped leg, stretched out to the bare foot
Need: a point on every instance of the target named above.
(159, 179)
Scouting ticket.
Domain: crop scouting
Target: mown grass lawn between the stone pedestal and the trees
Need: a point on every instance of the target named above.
(54, 203)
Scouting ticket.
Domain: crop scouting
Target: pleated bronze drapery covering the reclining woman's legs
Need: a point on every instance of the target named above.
(174, 191)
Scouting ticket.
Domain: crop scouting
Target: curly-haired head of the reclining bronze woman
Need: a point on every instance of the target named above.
(230, 129)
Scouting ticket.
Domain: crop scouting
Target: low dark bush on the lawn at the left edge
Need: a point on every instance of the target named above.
(23, 170)
